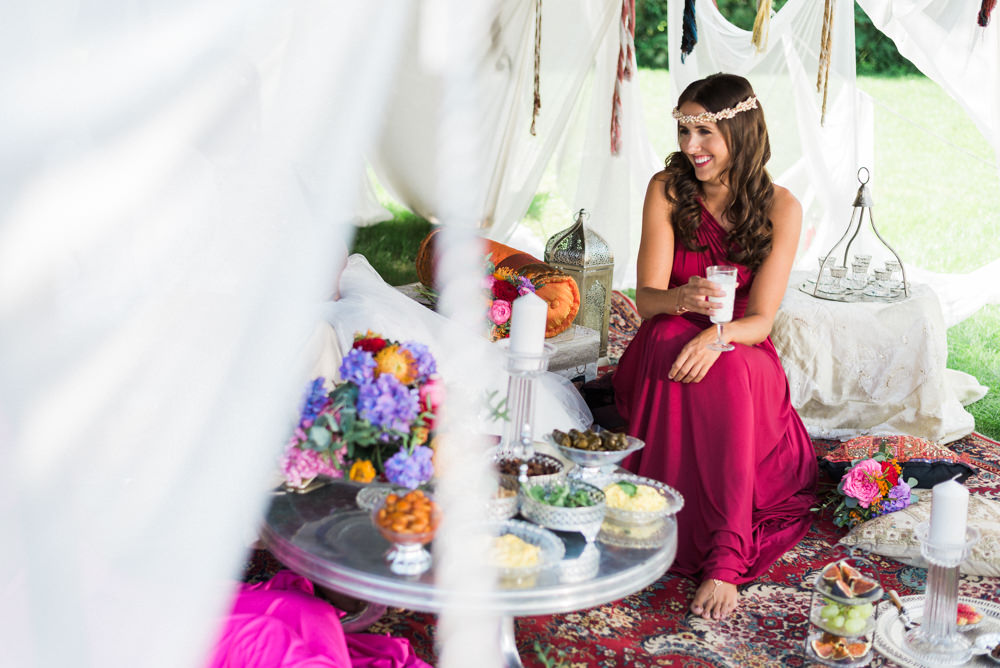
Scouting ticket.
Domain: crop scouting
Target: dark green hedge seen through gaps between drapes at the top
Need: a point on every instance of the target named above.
(876, 53)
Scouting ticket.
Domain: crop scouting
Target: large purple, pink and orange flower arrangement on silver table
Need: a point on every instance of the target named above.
(377, 421)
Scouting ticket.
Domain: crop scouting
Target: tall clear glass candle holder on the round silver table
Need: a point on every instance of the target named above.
(523, 369)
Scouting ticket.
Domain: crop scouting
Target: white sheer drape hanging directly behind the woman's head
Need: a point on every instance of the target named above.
(818, 163)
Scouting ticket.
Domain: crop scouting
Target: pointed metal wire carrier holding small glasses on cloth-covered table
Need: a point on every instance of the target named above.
(846, 278)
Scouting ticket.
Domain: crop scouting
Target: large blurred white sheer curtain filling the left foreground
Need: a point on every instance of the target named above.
(171, 172)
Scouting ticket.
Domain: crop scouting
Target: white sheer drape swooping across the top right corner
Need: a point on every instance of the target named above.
(942, 38)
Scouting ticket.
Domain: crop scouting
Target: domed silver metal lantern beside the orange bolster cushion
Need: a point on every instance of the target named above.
(587, 258)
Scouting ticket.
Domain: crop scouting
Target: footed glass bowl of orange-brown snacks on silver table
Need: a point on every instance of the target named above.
(408, 521)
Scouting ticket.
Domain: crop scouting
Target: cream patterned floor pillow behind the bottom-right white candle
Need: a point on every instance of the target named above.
(894, 534)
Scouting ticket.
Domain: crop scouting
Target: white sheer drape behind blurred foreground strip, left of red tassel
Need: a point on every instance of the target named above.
(513, 159)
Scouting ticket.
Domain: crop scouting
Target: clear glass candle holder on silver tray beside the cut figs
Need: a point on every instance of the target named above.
(936, 641)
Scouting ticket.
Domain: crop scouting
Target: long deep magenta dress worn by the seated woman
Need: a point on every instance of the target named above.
(731, 444)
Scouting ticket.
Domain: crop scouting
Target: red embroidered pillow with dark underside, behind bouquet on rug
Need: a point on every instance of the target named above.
(928, 462)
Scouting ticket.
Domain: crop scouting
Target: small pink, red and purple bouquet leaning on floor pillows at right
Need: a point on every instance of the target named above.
(870, 488)
